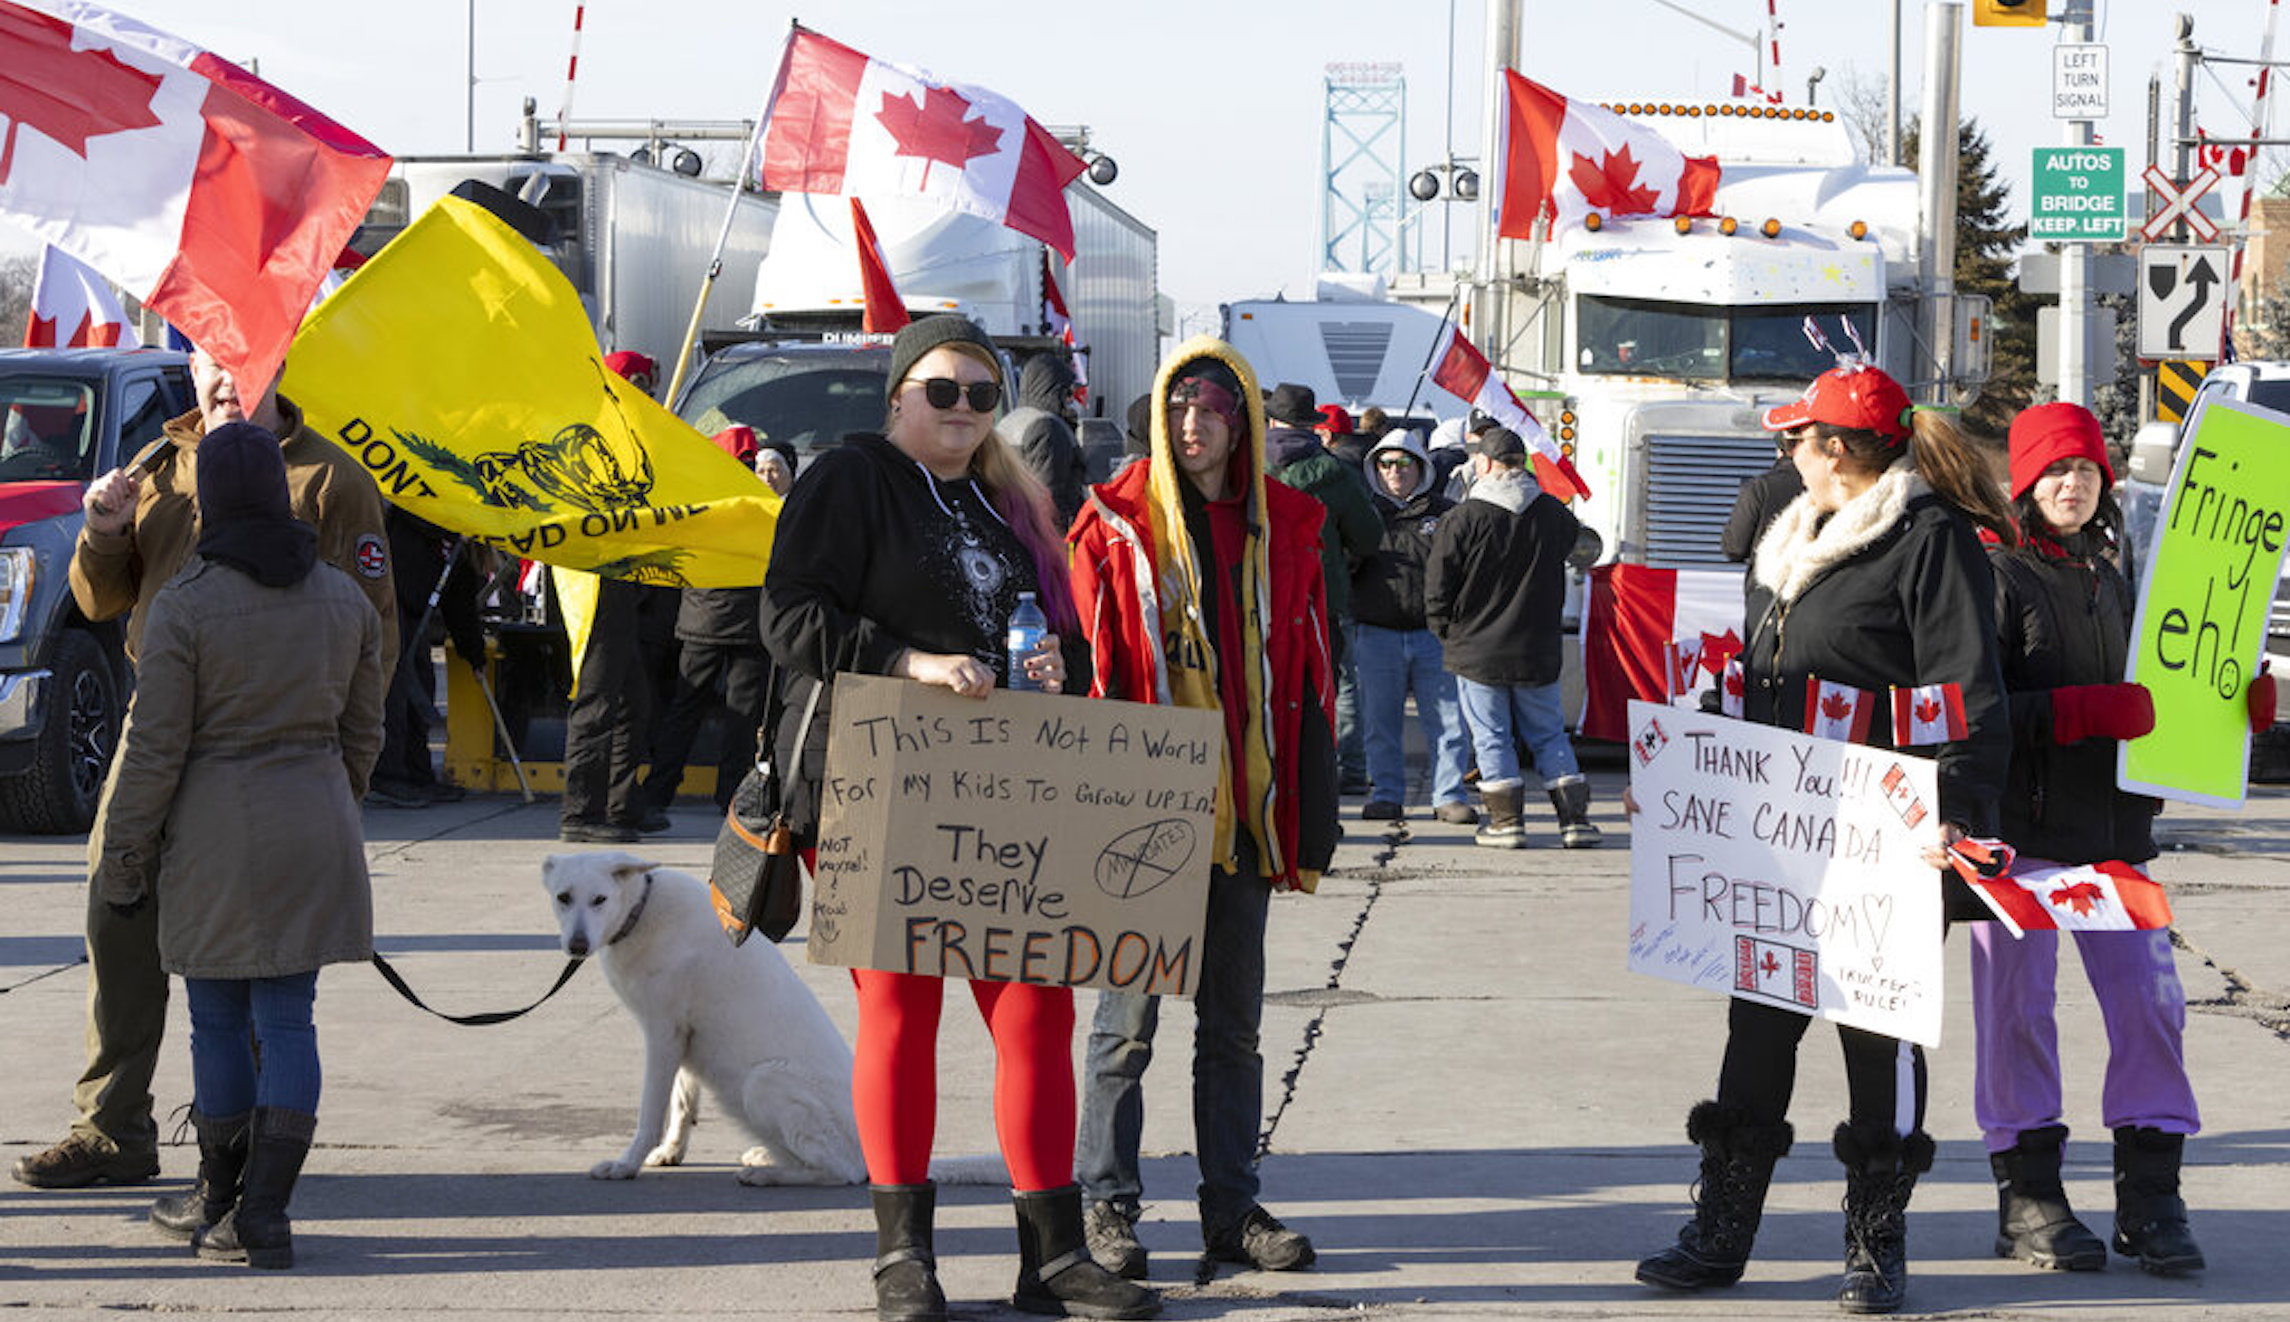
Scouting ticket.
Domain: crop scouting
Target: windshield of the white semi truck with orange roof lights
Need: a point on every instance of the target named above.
(1700, 343)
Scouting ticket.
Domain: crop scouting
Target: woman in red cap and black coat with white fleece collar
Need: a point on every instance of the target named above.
(1872, 579)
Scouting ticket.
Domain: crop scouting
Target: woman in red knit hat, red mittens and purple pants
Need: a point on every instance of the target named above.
(2064, 617)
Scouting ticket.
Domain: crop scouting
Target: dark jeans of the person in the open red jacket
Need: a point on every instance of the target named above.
(1229, 1071)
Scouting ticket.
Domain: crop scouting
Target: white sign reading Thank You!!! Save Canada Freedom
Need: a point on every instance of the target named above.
(1785, 869)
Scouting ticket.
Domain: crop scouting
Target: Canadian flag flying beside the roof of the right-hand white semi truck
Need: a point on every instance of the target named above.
(1565, 159)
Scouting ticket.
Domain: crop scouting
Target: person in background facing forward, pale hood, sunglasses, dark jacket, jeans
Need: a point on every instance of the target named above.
(1396, 647)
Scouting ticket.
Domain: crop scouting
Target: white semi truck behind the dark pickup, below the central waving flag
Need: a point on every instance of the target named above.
(951, 262)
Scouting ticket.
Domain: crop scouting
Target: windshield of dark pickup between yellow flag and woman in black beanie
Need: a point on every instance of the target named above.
(807, 398)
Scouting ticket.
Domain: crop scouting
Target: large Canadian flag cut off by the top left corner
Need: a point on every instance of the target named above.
(196, 187)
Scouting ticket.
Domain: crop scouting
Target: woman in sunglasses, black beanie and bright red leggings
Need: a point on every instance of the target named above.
(906, 556)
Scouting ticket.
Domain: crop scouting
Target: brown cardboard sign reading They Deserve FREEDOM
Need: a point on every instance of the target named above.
(1020, 840)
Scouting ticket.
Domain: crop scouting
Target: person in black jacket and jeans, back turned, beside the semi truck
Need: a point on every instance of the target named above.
(1494, 592)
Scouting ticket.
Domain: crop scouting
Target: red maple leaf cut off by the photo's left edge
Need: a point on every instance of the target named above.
(68, 95)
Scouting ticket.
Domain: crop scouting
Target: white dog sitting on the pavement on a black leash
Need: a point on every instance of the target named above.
(734, 1018)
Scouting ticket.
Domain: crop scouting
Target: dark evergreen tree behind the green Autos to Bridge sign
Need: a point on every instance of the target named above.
(1987, 246)
